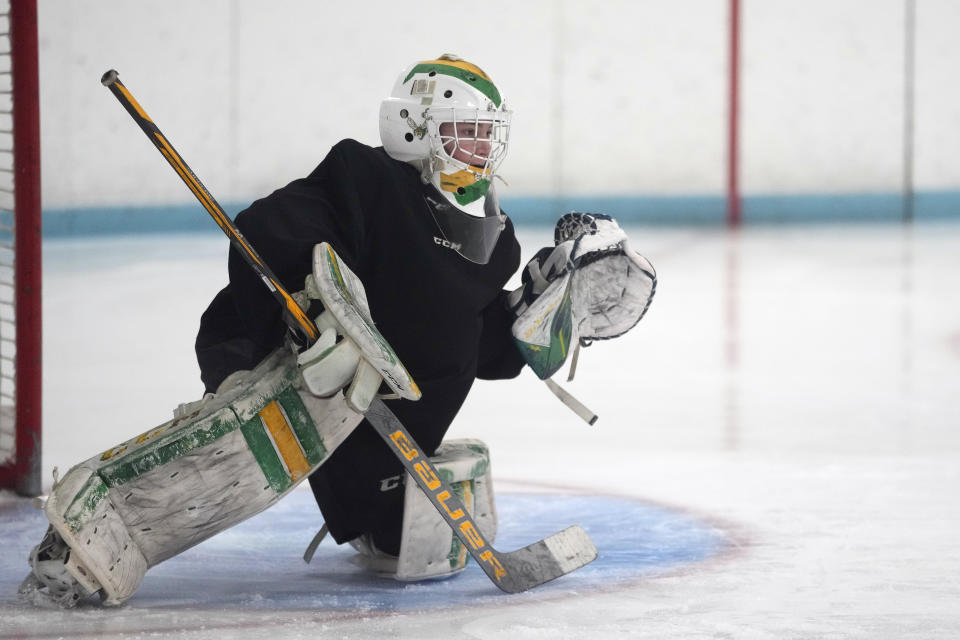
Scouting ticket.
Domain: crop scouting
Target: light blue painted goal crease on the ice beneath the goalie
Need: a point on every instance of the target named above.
(258, 563)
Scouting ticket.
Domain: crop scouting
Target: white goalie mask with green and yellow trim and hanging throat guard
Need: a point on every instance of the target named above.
(447, 118)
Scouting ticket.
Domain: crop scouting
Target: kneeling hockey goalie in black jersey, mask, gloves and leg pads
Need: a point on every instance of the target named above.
(401, 253)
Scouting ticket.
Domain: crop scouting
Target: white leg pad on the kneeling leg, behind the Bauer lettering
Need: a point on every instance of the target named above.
(428, 547)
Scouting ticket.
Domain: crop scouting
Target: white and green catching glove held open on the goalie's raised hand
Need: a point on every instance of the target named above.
(590, 286)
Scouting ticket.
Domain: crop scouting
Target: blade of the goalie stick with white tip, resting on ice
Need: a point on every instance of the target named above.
(548, 559)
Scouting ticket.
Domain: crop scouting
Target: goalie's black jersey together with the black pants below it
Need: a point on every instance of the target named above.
(444, 315)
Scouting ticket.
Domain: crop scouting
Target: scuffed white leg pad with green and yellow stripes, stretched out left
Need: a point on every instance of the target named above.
(221, 461)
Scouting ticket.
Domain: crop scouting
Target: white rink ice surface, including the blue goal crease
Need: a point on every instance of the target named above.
(787, 410)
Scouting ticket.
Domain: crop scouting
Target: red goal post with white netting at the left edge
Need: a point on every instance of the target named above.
(20, 227)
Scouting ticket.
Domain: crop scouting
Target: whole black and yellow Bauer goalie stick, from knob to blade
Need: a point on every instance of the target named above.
(512, 571)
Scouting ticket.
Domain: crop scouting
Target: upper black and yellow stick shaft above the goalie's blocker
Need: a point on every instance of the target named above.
(303, 328)
